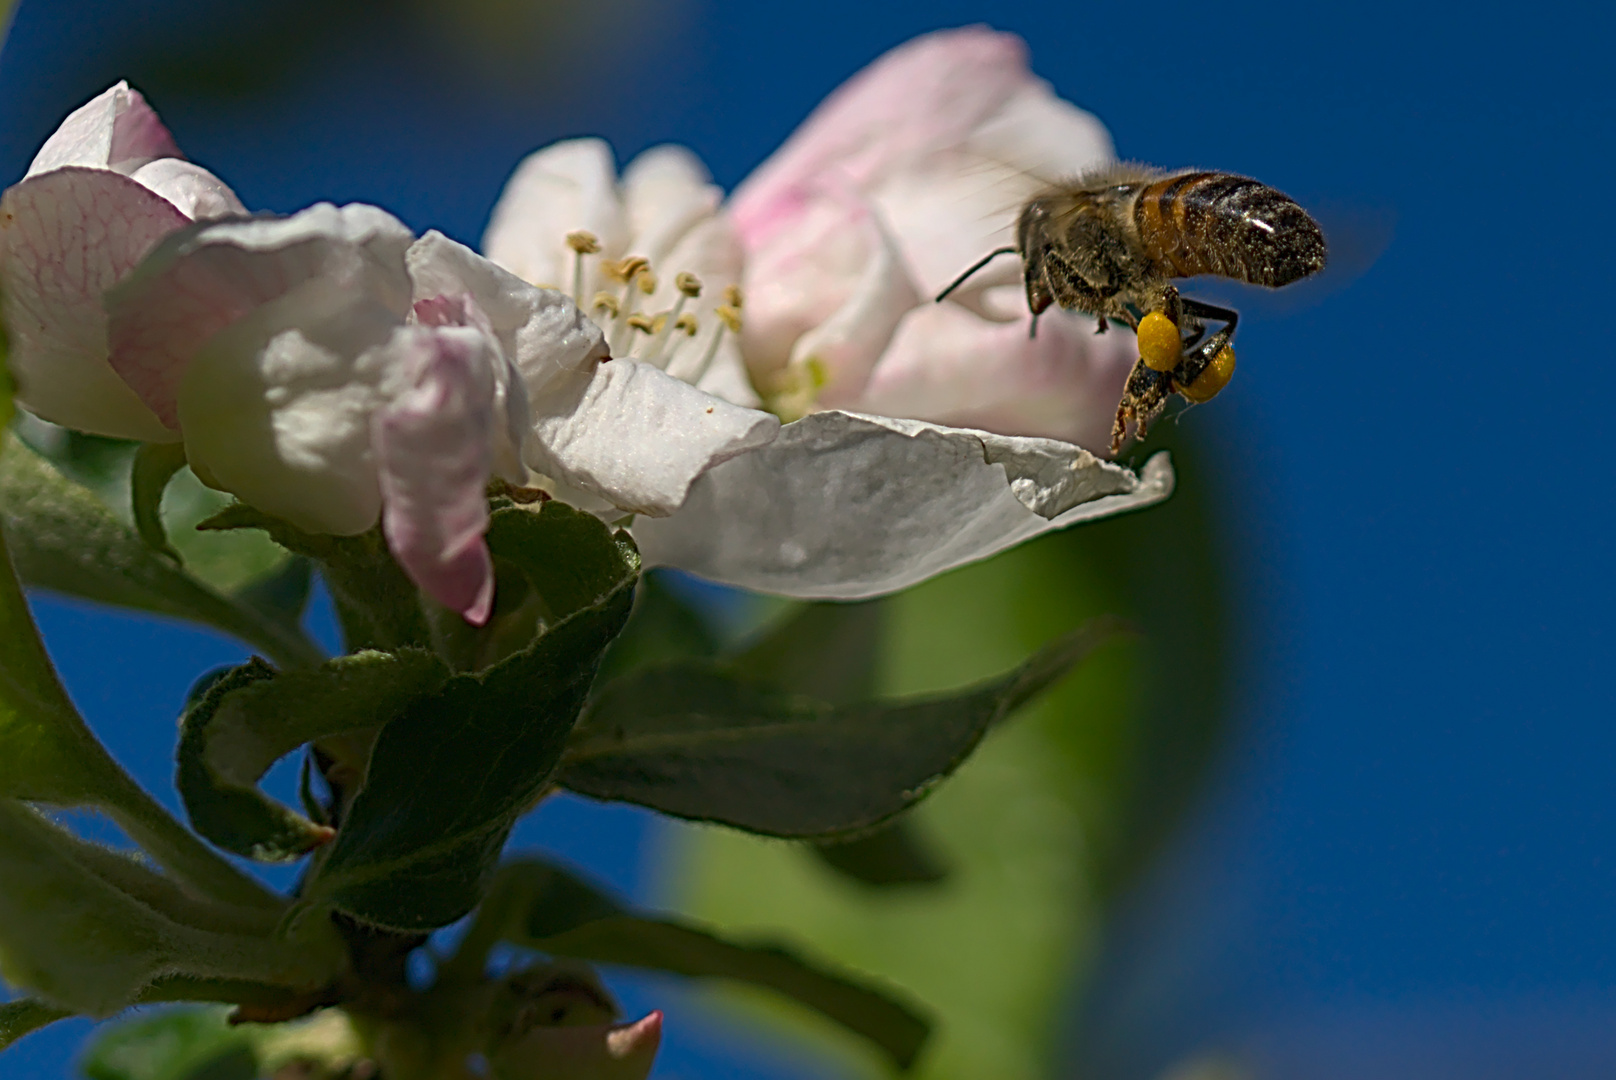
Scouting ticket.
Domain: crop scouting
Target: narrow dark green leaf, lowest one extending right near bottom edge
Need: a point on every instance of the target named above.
(544, 908)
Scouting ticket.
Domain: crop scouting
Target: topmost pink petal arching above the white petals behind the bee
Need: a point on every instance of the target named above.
(924, 96)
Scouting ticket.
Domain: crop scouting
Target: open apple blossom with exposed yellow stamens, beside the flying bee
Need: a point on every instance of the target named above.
(899, 180)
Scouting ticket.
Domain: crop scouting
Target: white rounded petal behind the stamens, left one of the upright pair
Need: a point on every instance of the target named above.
(555, 192)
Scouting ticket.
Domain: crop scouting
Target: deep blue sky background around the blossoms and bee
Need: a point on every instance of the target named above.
(1408, 864)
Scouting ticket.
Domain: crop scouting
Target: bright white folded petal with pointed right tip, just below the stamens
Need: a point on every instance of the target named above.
(639, 437)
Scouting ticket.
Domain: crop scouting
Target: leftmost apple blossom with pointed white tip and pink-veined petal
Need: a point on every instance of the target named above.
(98, 198)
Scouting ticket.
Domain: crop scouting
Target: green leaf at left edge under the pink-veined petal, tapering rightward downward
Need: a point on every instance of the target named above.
(65, 539)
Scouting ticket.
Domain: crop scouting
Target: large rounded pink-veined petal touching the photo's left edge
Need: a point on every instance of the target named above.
(69, 237)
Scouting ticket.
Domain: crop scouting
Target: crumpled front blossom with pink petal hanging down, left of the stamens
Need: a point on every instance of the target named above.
(330, 369)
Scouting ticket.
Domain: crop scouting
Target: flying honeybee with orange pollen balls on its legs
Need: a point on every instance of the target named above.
(1111, 243)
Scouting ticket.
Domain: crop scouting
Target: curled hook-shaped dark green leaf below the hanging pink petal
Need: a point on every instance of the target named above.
(253, 717)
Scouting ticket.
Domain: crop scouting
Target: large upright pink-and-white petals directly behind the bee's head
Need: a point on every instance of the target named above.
(903, 179)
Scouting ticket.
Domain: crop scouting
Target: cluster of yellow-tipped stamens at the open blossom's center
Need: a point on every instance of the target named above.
(675, 339)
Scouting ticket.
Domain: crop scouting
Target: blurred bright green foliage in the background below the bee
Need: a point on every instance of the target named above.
(1058, 812)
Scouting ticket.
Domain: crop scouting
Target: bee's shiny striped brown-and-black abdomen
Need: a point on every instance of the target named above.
(1227, 226)
